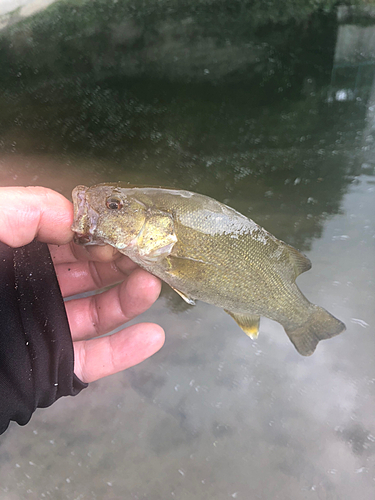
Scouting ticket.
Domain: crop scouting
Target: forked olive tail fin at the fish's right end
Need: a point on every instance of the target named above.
(320, 325)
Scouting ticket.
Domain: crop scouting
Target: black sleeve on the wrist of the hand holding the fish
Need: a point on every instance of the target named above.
(36, 350)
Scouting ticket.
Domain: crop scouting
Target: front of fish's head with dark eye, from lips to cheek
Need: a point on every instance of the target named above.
(106, 214)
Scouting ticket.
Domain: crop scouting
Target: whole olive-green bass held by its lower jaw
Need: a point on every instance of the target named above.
(206, 251)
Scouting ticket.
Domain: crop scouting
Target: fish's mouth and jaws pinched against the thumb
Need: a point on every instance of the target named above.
(85, 219)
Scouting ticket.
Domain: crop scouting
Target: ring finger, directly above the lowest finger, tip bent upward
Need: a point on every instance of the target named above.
(99, 314)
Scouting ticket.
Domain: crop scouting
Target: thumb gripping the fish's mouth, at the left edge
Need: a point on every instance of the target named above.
(34, 212)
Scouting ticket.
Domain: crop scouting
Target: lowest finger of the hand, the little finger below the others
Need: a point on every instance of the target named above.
(94, 359)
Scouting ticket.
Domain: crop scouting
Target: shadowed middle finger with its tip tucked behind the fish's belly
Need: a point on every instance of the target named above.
(80, 277)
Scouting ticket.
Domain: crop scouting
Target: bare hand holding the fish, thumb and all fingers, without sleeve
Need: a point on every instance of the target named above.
(35, 212)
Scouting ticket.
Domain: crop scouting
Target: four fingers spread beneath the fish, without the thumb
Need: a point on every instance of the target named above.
(78, 271)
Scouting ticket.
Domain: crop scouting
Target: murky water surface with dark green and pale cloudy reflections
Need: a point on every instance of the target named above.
(276, 120)
